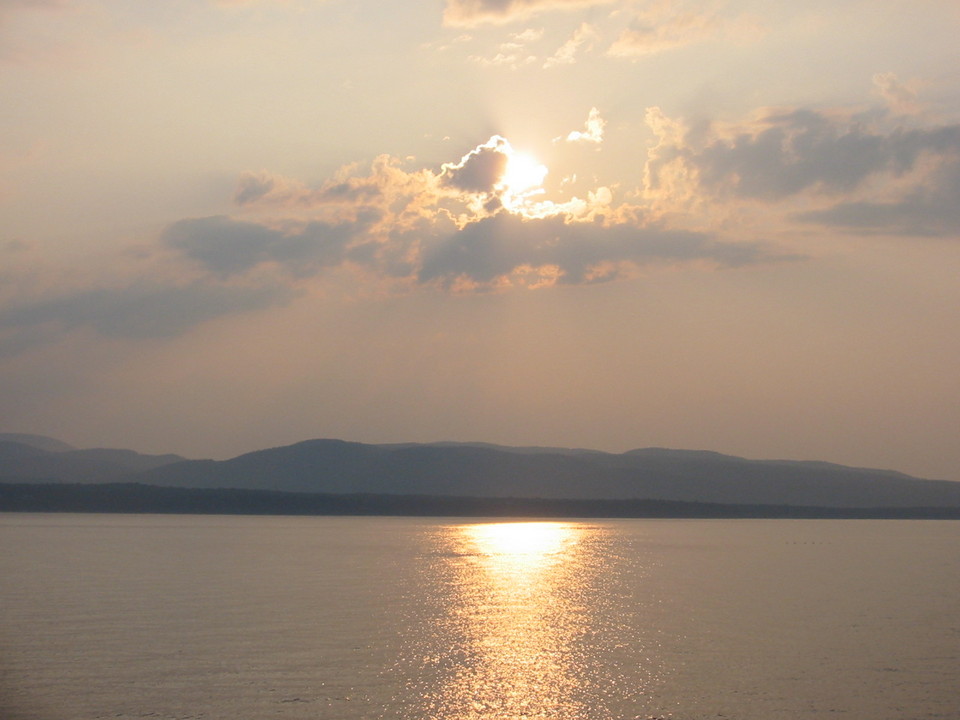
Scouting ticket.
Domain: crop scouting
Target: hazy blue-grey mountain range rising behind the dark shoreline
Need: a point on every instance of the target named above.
(477, 470)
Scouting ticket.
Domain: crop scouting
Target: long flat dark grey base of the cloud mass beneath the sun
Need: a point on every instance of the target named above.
(480, 252)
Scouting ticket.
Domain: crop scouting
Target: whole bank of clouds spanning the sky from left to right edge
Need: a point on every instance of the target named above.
(471, 225)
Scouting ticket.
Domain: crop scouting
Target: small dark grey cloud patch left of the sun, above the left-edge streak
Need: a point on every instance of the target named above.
(225, 246)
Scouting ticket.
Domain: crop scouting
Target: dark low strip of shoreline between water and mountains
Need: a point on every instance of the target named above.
(139, 498)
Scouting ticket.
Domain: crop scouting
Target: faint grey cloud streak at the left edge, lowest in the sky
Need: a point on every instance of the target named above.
(145, 310)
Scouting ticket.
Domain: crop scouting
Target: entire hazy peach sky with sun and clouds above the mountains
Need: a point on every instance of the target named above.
(729, 226)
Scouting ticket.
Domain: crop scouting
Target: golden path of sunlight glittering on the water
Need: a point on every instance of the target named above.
(519, 597)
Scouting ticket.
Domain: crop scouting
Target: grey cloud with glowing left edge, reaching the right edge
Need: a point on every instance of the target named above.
(881, 177)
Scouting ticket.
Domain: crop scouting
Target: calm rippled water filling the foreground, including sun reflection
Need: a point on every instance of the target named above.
(245, 618)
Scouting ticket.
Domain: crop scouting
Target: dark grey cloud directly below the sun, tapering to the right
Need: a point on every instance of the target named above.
(580, 252)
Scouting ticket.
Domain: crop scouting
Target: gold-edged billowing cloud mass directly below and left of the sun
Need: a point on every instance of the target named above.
(470, 229)
